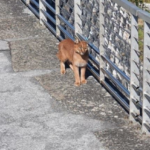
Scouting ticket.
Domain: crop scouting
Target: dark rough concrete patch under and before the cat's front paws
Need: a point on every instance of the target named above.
(90, 99)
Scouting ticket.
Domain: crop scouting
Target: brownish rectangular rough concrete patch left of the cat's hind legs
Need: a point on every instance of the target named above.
(34, 53)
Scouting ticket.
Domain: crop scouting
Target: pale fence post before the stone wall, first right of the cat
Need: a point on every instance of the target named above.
(101, 38)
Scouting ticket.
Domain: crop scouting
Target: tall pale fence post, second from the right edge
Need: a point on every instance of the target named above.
(134, 70)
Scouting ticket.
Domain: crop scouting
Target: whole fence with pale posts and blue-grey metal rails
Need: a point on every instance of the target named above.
(119, 58)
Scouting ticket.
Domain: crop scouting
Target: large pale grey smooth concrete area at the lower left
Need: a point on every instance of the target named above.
(29, 120)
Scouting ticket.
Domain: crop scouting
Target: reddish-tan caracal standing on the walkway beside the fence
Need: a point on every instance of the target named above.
(76, 54)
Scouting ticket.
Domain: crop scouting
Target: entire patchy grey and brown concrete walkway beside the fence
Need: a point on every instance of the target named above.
(42, 110)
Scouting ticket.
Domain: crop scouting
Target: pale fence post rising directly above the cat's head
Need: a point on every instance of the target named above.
(77, 20)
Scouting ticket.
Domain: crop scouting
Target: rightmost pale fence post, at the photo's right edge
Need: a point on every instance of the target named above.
(146, 81)
